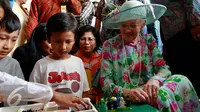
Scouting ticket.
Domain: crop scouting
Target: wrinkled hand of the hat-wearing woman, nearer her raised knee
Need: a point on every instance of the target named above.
(151, 88)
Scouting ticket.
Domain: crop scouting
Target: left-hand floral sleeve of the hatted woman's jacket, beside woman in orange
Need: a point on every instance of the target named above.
(107, 74)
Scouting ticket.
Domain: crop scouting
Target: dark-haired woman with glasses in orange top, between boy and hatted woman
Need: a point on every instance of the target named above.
(88, 43)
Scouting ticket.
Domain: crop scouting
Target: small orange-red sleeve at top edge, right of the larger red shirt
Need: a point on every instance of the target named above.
(75, 6)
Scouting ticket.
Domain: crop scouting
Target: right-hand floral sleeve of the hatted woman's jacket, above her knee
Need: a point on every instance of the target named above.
(160, 68)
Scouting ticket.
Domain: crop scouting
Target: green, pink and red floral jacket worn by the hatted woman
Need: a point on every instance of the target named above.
(122, 65)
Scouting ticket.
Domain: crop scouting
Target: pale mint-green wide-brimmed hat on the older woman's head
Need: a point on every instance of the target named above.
(132, 10)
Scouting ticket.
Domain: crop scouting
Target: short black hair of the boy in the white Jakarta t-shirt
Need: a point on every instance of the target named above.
(61, 22)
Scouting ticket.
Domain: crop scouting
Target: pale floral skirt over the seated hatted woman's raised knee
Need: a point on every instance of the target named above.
(171, 98)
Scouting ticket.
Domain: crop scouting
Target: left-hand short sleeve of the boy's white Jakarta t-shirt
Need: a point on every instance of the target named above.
(36, 74)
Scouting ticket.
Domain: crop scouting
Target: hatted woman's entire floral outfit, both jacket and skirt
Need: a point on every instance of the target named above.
(124, 66)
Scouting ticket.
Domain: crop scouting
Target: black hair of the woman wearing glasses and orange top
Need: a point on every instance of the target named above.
(87, 28)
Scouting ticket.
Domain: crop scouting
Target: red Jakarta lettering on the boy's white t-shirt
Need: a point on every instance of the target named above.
(55, 77)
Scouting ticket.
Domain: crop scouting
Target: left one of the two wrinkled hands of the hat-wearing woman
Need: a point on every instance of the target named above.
(137, 95)
